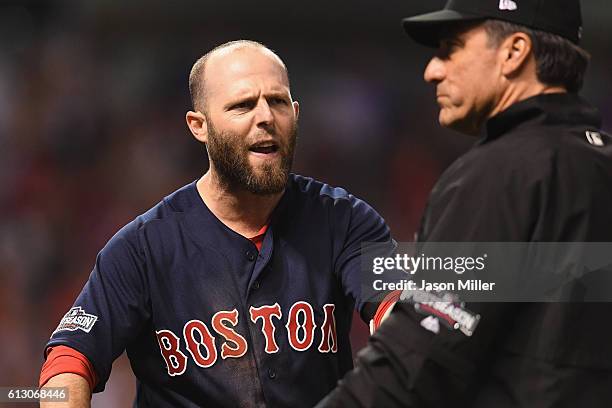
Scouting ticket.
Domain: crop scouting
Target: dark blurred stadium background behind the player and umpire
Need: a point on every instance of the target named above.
(92, 101)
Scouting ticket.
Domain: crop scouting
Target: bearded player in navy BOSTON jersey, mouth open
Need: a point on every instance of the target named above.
(238, 289)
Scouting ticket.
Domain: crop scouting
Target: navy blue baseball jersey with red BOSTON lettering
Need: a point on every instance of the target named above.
(207, 320)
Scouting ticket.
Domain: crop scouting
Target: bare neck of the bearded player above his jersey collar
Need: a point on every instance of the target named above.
(241, 211)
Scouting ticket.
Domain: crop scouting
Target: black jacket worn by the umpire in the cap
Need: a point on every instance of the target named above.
(542, 172)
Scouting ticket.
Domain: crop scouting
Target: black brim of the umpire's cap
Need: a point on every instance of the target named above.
(426, 28)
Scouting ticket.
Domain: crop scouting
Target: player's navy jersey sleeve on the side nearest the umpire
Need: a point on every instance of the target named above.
(364, 225)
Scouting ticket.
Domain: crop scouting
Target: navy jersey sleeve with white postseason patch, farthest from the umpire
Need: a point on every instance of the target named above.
(112, 306)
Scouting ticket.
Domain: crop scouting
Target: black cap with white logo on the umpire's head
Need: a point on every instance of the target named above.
(561, 17)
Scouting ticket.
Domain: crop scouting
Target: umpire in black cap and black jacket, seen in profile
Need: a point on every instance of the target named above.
(541, 170)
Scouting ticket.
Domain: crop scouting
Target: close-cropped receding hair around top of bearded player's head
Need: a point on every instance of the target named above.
(197, 80)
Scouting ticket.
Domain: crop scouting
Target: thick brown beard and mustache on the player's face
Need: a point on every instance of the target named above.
(229, 156)
